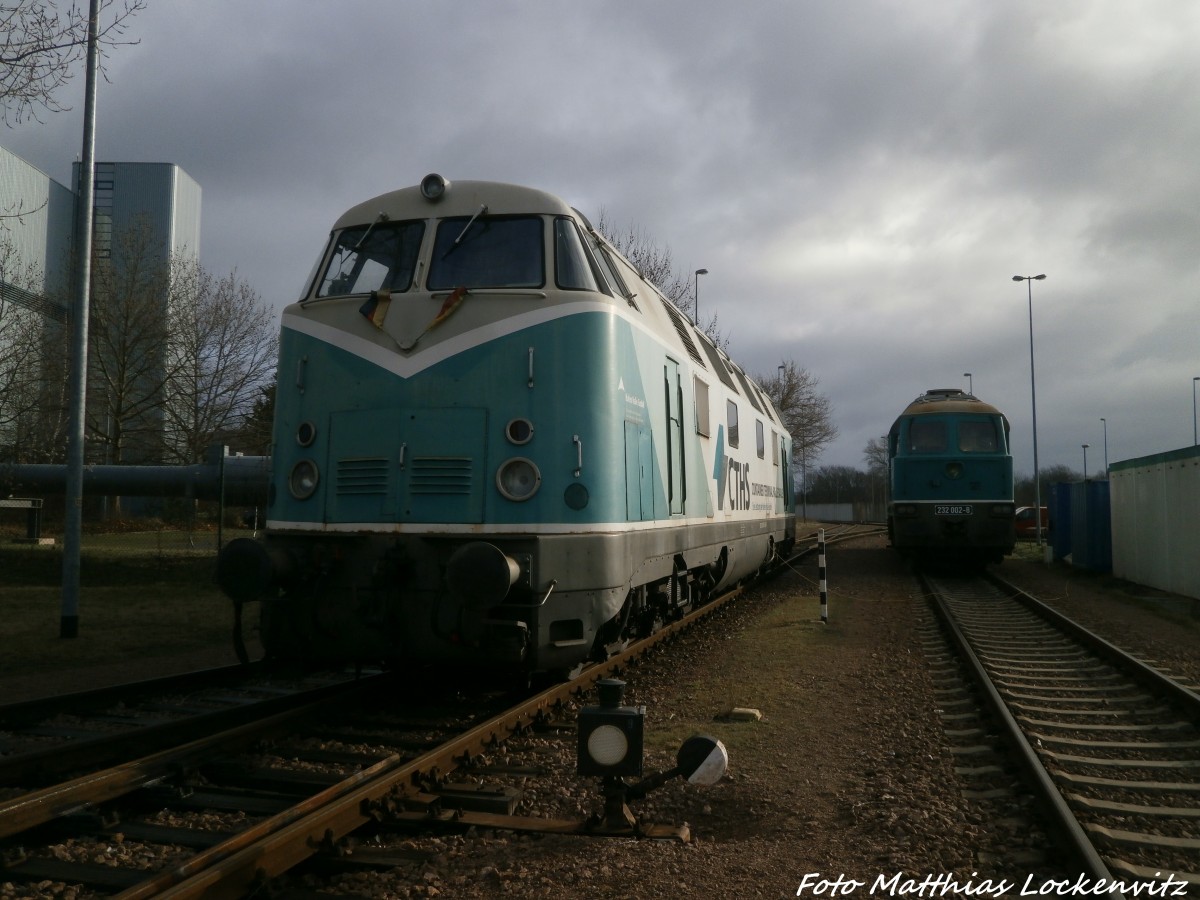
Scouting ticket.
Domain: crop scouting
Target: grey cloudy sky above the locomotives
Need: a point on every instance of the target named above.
(861, 178)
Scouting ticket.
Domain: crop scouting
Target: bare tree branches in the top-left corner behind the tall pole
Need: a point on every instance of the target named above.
(40, 45)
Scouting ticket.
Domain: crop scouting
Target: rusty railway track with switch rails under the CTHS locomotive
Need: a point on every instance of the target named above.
(394, 766)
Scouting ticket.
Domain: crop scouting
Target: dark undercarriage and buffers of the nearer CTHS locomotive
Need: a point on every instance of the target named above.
(497, 604)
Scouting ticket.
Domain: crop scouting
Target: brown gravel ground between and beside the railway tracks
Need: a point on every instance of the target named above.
(848, 776)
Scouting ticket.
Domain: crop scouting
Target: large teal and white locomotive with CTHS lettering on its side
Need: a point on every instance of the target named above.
(496, 443)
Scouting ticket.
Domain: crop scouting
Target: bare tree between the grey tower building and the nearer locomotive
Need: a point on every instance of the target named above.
(221, 358)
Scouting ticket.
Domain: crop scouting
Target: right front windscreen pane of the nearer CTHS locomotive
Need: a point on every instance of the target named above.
(488, 253)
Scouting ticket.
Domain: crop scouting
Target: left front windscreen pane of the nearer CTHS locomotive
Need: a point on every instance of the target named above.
(373, 257)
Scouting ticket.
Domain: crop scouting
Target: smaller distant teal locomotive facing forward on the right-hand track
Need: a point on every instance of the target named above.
(951, 475)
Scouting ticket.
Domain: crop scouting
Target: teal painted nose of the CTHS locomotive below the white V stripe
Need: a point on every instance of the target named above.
(425, 449)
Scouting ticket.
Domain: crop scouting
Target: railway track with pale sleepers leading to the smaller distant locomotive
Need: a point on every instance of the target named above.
(1111, 743)
